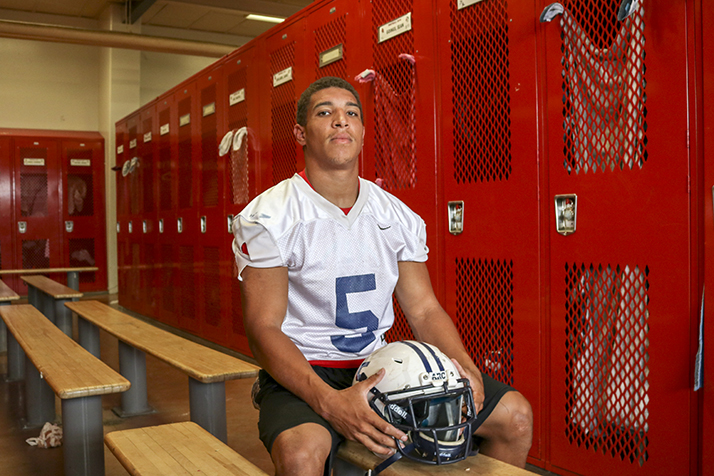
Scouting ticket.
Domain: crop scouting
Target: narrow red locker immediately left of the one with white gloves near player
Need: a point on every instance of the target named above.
(212, 256)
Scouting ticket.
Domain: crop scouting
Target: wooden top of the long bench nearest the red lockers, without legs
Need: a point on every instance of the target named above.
(205, 364)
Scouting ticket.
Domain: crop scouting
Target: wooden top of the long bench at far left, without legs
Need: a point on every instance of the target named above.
(70, 370)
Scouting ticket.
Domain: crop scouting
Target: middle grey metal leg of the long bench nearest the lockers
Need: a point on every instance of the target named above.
(132, 365)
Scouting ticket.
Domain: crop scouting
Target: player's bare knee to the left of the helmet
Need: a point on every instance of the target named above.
(302, 450)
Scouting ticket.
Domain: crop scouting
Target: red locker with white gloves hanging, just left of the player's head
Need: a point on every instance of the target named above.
(241, 102)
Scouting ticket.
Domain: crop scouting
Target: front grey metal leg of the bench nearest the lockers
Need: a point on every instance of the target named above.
(208, 407)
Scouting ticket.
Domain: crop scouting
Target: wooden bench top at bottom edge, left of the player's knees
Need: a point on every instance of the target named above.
(177, 448)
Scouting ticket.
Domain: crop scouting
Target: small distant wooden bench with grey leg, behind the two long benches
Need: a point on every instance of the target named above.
(49, 297)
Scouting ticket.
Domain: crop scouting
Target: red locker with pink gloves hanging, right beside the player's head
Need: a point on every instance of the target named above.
(399, 104)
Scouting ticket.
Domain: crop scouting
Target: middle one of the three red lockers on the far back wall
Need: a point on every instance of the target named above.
(37, 216)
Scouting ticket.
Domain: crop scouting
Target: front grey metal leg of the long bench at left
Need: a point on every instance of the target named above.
(83, 436)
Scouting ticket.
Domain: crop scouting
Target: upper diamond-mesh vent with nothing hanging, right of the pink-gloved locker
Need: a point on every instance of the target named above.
(481, 92)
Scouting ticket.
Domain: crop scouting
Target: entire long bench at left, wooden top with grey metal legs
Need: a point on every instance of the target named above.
(57, 365)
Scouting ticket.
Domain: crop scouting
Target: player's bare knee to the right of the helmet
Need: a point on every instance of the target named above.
(508, 431)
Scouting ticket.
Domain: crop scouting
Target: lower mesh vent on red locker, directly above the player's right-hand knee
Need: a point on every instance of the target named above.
(484, 314)
